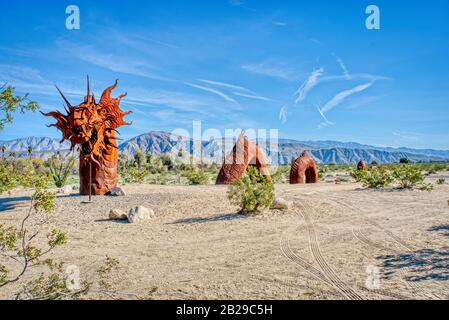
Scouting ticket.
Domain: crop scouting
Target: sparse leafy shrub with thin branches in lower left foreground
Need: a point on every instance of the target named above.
(53, 282)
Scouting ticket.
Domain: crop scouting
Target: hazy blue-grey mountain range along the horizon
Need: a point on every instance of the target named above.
(159, 142)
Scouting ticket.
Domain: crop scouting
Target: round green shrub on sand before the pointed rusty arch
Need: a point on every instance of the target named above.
(251, 192)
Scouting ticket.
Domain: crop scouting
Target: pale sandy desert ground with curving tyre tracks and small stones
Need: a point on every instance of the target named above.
(336, 241)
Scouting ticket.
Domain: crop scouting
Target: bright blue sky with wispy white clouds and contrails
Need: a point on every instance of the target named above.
(308, 68)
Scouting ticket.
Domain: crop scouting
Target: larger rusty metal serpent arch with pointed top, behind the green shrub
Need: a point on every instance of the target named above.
(244, 154)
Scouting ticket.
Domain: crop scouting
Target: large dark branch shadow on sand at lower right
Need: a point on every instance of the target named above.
(424, 264)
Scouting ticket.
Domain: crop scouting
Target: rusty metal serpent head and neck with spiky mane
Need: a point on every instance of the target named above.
(92, 126)
